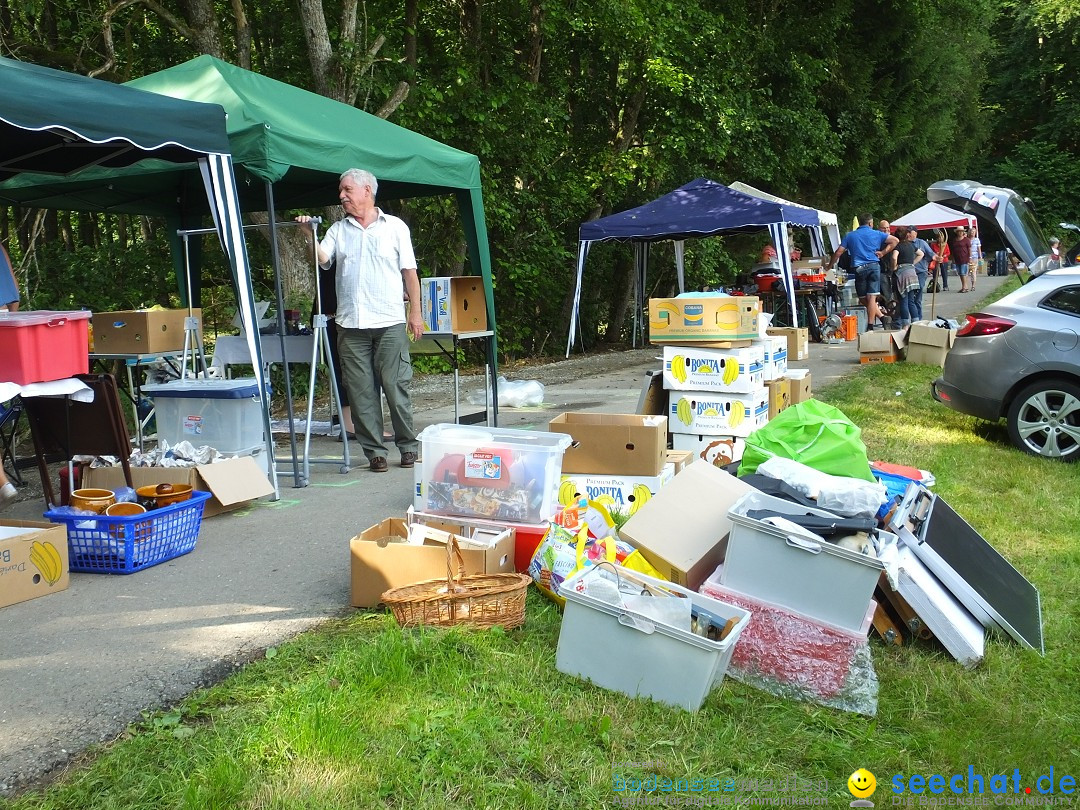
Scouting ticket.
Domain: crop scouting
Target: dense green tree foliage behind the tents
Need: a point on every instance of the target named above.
(582, 110)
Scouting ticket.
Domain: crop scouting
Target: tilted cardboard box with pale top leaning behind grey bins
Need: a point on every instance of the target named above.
(684, 529)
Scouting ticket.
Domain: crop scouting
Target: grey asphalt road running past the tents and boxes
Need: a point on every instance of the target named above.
(78, 667)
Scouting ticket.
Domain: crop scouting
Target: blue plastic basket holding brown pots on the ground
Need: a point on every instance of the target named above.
(127, 545)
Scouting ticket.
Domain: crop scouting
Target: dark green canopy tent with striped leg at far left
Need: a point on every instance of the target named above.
(53, 125)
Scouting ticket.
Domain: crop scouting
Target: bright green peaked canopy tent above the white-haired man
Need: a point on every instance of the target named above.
(290, 147)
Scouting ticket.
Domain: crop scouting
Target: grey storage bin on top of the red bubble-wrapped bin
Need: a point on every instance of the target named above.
(817, 579)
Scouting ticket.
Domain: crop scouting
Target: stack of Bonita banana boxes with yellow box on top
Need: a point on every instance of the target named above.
(724, 379)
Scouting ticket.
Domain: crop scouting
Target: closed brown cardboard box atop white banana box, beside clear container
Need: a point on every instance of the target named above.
(613, 444)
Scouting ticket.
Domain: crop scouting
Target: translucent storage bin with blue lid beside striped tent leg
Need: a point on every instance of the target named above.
(223, 414)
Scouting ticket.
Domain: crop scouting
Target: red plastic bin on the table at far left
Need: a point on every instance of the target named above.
(39, 346)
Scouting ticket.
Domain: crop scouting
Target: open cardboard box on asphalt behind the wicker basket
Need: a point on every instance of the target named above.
(381, 559)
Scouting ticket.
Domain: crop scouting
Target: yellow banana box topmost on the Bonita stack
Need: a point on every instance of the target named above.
(713, 318)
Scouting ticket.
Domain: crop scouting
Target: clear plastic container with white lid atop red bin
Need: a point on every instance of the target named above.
(498, 474)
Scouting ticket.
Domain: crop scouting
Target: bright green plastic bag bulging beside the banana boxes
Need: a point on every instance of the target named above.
(812, 434)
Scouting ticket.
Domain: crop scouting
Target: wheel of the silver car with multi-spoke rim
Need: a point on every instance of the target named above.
(1045, 421)
